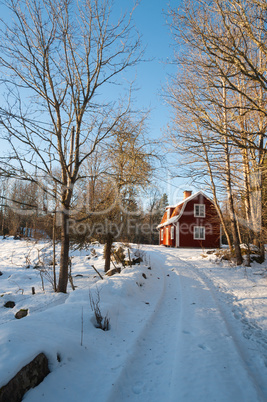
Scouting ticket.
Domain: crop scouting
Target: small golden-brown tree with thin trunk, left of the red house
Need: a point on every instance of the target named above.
(112, 182)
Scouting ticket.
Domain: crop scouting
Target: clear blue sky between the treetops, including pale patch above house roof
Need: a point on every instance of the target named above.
(151, 21)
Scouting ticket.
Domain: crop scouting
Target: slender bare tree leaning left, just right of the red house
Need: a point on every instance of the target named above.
(205, 154)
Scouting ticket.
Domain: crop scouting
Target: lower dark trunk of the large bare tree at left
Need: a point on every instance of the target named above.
(64, 253)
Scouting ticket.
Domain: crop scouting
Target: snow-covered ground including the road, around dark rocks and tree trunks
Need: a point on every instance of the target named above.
(182, 327)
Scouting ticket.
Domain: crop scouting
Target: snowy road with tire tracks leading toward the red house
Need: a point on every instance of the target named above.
(188, 352)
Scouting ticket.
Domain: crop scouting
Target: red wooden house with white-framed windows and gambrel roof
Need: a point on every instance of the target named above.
(194, 222)
